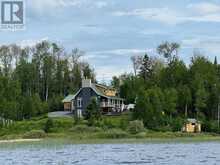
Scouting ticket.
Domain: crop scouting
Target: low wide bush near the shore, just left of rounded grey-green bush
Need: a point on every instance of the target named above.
(114, 134)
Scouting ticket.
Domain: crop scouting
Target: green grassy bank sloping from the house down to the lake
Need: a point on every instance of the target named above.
(113, 131)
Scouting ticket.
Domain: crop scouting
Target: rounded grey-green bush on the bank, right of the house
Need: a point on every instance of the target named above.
(136, 126)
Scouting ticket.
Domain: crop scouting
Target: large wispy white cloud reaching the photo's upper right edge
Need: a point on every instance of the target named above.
(200, 12)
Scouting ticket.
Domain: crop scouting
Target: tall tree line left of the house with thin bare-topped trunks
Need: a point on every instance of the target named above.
(34, 80)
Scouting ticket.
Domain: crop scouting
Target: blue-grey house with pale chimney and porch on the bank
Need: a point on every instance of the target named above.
(106, 97)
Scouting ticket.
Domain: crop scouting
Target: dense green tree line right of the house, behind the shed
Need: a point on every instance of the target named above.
(166, 91)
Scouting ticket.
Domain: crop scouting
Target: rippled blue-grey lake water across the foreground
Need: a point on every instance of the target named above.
(206, 153)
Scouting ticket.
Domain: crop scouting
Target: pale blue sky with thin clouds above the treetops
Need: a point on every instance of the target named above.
(111, 31)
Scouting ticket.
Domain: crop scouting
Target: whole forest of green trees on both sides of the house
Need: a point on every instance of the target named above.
(165, 90)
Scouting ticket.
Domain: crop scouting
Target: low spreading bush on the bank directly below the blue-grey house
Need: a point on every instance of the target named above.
(85, 129)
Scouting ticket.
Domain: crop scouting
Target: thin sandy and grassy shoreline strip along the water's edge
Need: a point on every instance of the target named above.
(68, 140)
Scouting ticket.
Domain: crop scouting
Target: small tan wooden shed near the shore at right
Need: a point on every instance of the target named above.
(192, 126)
